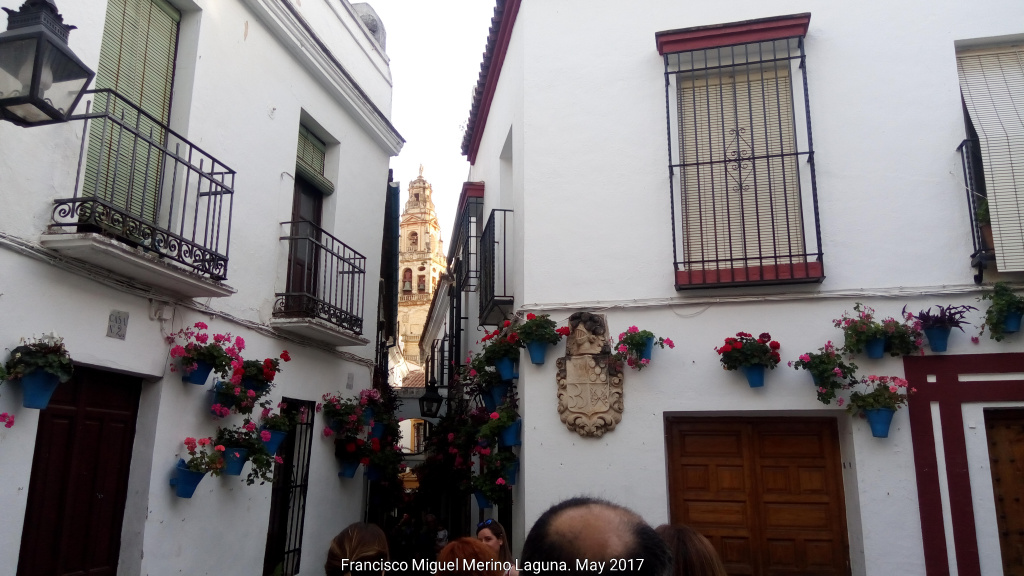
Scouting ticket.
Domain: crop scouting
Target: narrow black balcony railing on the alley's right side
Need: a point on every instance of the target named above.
(496, 255)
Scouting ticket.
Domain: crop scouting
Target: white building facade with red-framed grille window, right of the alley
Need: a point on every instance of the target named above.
(703, 170)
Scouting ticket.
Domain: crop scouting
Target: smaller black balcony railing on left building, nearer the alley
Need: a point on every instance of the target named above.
(326, 278)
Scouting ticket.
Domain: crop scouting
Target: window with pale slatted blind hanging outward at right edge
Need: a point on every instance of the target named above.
(993, 87)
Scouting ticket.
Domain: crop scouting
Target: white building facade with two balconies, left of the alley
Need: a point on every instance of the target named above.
(235, 173)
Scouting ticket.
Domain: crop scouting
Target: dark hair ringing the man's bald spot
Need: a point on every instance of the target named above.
(545, 545)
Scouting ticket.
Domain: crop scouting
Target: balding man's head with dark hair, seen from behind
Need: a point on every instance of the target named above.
(595, 530)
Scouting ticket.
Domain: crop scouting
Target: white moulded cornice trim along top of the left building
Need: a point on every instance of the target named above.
(302, 45)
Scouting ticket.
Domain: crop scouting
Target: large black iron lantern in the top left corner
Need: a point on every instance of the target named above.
(41, 80)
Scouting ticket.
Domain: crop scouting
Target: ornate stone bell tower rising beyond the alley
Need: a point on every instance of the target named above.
(421, 262)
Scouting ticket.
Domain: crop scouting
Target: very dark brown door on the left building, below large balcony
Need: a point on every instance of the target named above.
(80, 477)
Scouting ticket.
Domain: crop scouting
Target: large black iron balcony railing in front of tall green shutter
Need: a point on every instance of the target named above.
(150, 188)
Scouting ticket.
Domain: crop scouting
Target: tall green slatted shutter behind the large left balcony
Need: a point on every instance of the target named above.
(137, 61)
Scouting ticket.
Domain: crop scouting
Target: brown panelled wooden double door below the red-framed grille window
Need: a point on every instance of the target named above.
(767, 492)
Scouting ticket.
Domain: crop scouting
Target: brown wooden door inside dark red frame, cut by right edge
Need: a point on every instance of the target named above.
(1006, 451)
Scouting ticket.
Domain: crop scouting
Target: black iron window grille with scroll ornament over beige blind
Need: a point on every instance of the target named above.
(748, 208)
